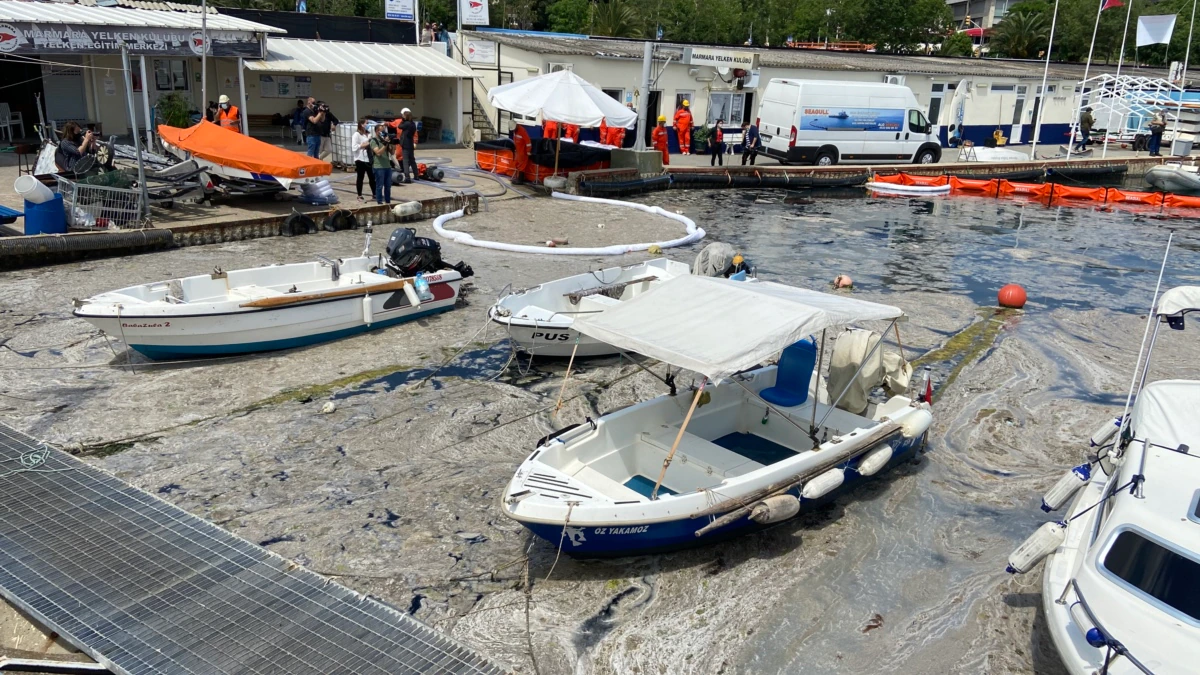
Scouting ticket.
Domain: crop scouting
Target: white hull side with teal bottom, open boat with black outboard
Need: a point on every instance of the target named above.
(175, 337)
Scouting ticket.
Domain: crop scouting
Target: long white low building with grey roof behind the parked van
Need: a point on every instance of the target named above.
(1003, 95)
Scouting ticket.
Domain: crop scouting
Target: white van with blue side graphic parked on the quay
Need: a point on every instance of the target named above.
(824, 123)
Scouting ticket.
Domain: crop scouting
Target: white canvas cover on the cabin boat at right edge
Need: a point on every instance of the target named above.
(1166, 414)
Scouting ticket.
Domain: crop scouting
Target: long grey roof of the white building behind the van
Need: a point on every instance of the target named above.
(789, 58)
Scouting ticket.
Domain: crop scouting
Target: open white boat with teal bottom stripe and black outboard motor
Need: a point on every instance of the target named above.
(283, 306)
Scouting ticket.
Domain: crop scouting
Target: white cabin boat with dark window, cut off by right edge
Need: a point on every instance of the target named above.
(1121, 588)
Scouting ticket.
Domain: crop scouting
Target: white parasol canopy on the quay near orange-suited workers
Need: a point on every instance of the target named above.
(562, 97)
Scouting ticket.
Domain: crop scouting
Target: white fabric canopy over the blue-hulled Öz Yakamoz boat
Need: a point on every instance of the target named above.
(719, 327)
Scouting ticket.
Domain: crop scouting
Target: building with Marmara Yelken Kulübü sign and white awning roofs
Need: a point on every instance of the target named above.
(76, 50)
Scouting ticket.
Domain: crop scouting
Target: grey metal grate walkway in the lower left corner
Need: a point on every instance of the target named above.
(145, 587)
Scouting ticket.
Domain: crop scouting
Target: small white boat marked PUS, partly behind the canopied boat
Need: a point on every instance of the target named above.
(541, 320)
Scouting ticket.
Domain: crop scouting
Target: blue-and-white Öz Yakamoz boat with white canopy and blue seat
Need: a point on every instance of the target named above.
(748, 449)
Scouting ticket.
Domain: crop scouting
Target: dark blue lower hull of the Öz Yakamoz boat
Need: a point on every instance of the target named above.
(619, 540)
